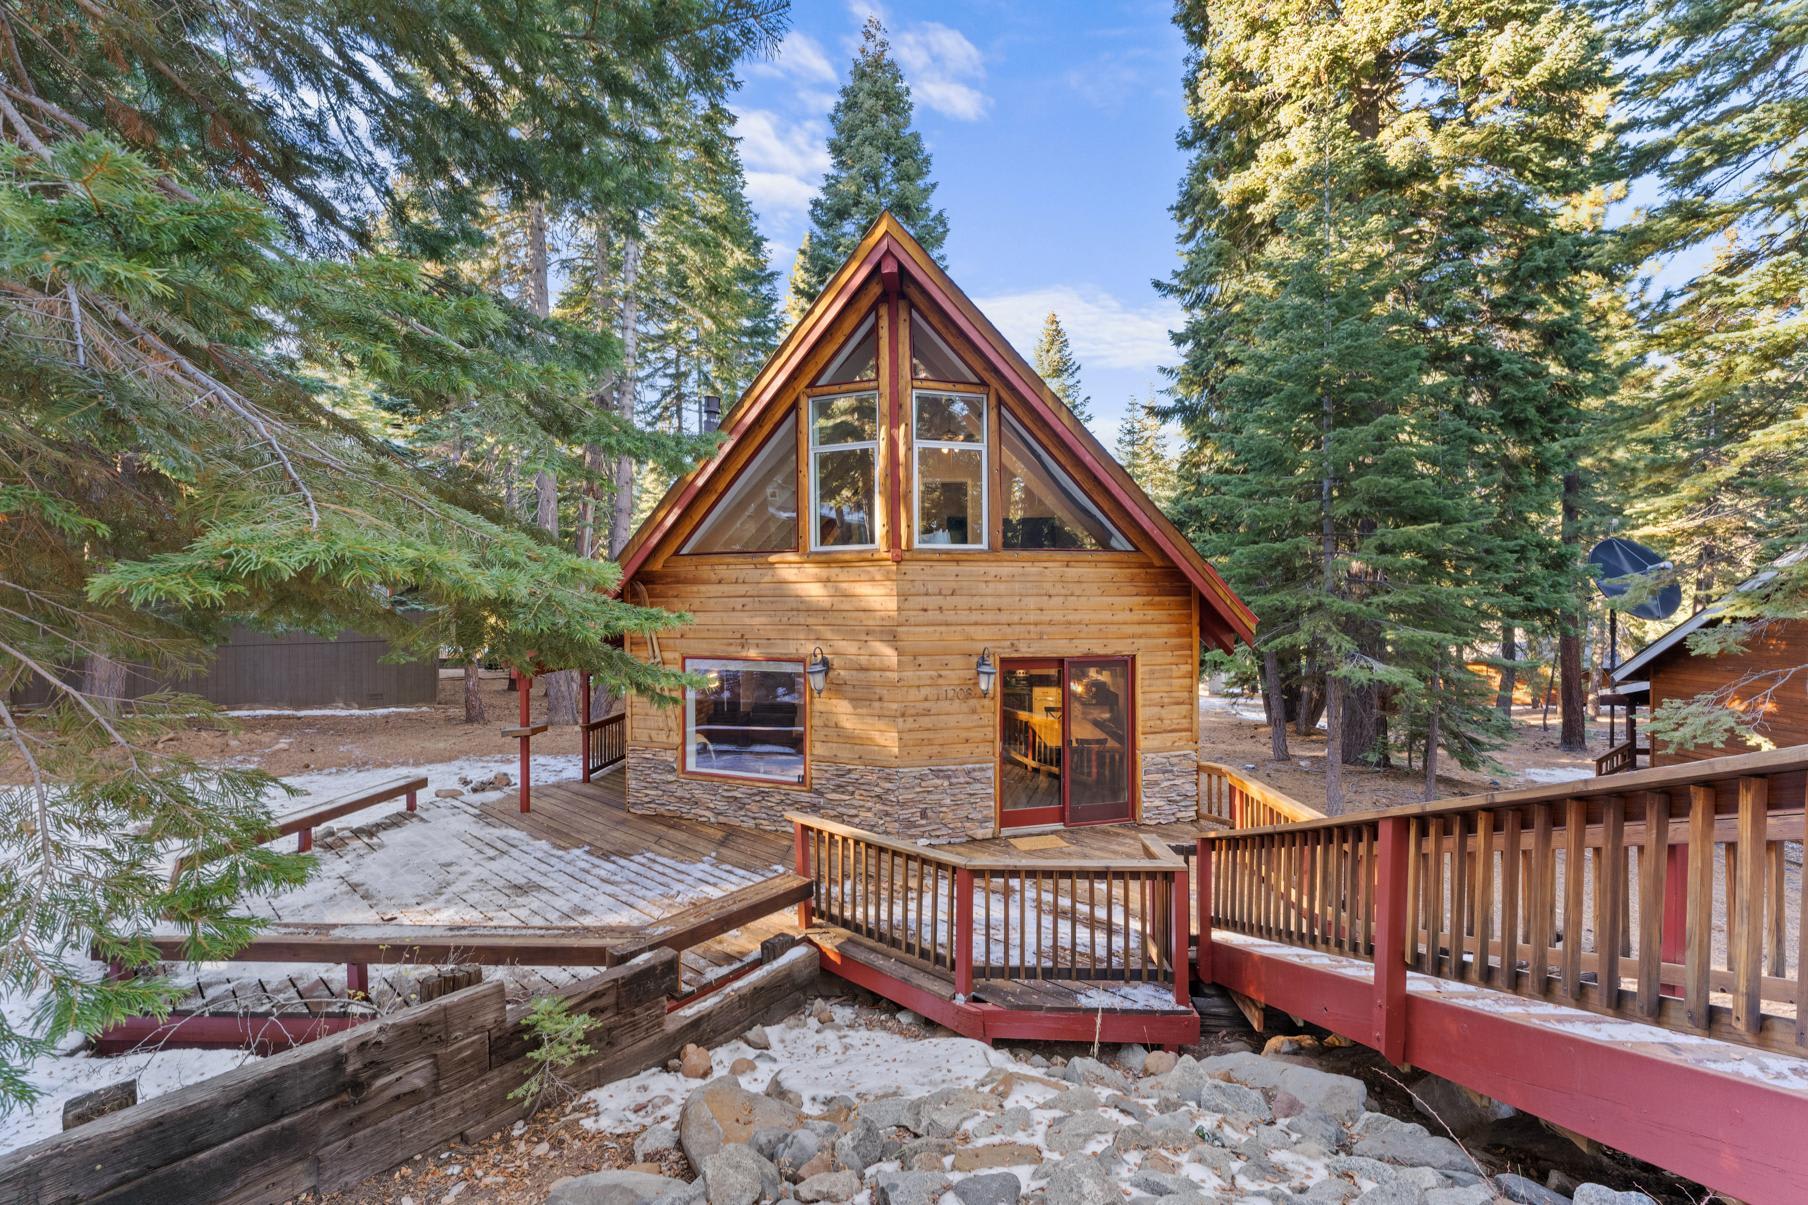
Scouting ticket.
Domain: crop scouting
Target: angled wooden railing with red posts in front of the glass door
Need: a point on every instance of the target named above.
(1091, 920)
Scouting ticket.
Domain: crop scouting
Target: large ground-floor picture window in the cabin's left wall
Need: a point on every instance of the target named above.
(748, 721)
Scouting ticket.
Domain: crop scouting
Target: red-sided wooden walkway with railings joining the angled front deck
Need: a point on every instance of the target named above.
(1623, 958)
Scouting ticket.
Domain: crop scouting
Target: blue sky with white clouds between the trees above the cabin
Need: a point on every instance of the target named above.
(1051, 128)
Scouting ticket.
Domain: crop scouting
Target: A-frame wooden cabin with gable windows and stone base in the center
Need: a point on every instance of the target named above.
(954, 515)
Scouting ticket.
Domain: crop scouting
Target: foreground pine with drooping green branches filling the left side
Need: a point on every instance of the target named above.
(247, 379)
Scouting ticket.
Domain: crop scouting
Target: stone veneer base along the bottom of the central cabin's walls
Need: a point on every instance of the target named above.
(916, 802)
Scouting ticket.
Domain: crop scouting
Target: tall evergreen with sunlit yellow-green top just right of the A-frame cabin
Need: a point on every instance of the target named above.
(1386, 307)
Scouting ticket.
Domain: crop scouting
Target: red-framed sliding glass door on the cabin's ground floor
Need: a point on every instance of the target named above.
(1066, 741)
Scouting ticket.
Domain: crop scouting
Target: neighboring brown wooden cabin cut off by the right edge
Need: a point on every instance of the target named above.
(1668, 670)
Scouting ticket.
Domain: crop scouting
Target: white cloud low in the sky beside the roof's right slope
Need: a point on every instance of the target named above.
(1106, 332)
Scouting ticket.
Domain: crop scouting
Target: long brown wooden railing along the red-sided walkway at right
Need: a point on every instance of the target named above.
(1652, 895)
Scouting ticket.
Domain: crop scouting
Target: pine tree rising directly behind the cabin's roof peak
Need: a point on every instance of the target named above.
(878, 164)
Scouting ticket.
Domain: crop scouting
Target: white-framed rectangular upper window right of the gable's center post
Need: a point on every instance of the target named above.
(950, 448)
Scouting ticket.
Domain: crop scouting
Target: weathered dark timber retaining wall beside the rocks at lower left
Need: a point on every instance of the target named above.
(335, 1112)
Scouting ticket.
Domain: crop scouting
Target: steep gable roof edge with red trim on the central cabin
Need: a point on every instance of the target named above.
(889, 251)
